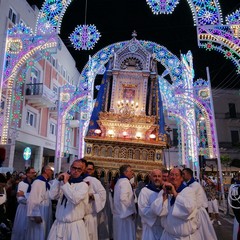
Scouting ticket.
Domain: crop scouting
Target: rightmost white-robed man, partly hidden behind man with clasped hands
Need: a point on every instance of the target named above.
(206, 228)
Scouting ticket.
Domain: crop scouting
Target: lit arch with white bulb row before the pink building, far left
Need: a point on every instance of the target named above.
(36, 50)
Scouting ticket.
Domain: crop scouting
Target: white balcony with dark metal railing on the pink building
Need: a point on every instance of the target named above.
(40, 96)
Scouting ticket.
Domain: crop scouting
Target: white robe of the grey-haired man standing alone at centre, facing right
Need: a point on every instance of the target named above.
(124, 211)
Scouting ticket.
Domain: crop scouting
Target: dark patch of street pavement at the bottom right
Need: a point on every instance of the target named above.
(225, 231)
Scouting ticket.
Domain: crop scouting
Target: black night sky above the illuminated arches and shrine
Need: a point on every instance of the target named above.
(116, 20)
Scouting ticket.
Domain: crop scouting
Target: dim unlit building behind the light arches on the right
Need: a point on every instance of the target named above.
(227, 115)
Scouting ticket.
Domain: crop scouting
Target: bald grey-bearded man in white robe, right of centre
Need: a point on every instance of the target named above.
(151, 222)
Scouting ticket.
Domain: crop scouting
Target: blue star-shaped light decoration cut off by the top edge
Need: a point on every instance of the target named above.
(162, 6)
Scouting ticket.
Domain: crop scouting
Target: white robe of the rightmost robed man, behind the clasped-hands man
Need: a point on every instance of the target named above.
(206, 228)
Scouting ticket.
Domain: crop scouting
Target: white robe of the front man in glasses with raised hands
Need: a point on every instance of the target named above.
(69, 224)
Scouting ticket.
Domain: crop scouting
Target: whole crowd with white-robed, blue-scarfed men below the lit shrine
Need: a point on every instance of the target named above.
(75, 205)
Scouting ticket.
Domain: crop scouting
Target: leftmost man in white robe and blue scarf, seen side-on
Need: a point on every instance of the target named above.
(20, 222)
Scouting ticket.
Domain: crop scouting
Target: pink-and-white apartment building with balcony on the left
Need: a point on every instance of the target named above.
(38, 125)
